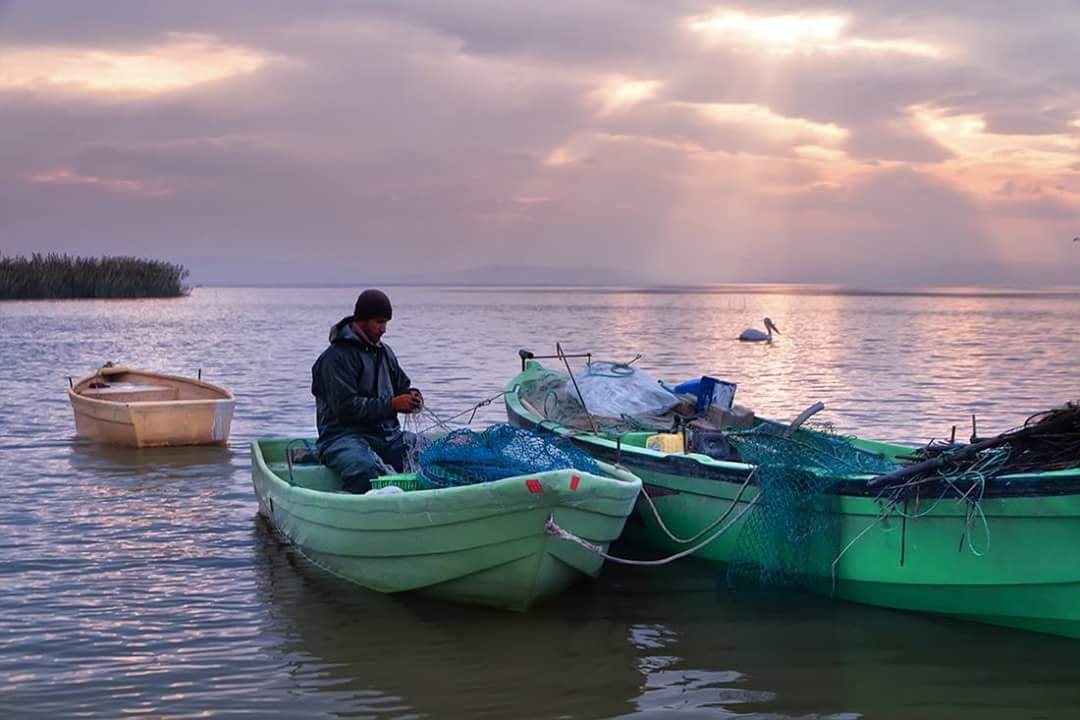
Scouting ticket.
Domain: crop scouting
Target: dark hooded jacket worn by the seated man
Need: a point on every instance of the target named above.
(355, 383)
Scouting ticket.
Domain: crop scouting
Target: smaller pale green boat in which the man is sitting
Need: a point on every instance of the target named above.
(482, 545)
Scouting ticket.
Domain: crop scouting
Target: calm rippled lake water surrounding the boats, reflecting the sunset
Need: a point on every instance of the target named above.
(143, 582)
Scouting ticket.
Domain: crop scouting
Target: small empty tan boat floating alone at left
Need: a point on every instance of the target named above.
(151, 410)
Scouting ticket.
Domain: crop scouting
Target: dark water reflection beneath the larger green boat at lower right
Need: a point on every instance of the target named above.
(777, 657)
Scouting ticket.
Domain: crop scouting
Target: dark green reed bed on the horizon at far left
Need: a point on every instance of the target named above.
(63, 277)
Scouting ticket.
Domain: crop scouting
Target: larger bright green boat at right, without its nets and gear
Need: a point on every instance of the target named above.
(1019, 569)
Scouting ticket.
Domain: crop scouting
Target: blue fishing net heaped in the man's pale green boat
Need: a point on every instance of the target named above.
(465, 457)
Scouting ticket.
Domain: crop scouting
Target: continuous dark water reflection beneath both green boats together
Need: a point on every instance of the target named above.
(649, 644)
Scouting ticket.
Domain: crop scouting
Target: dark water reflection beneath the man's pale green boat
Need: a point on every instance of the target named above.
(393, 656)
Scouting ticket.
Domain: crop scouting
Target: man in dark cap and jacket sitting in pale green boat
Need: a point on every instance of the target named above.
(360, 389)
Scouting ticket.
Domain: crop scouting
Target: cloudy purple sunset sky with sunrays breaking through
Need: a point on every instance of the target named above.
(874, 144)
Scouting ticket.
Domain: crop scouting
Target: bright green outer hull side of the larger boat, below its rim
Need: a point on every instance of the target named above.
(1021, 569)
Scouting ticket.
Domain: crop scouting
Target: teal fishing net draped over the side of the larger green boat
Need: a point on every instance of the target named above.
(792, 535)
